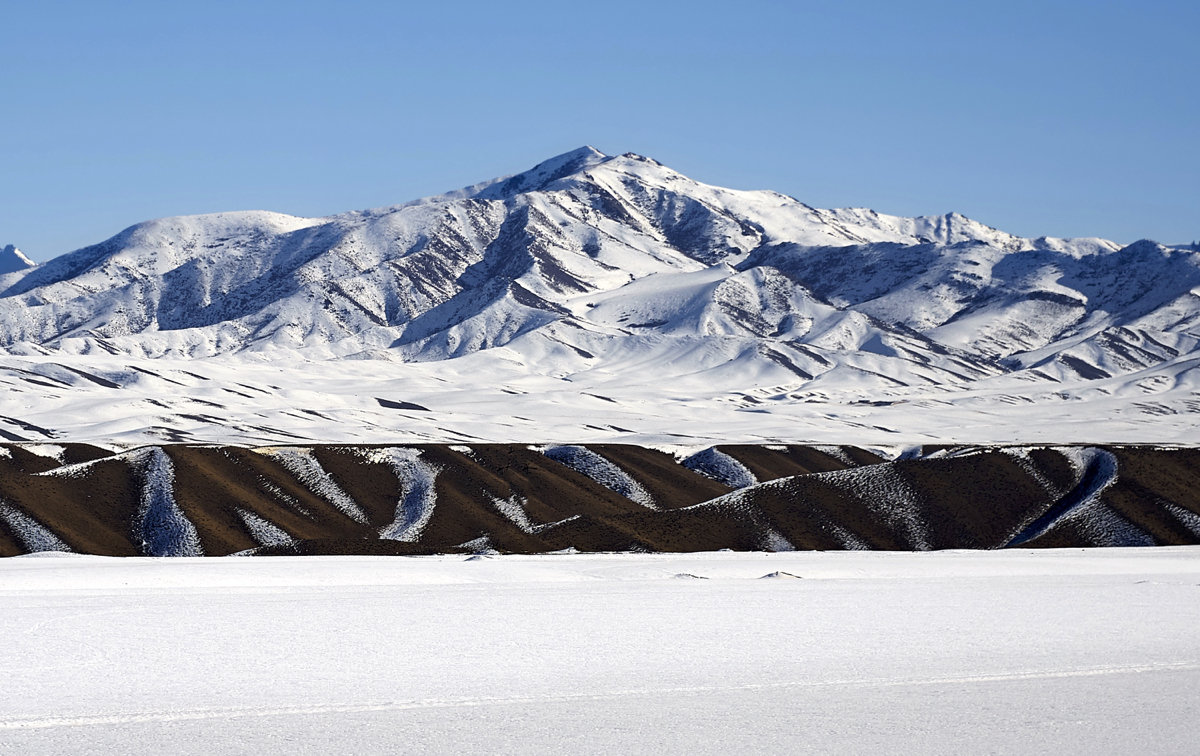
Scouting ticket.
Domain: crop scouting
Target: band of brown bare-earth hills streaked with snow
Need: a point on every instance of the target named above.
(214, 501)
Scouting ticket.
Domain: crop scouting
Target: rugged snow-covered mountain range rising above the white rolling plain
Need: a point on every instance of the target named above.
(616, 269)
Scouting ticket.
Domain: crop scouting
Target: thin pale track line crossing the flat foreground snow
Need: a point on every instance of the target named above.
(89, 721)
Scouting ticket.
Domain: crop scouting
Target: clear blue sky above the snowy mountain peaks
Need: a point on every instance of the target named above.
(1054, 118)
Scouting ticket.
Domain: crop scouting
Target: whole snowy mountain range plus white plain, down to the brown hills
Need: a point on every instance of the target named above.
(601, 298)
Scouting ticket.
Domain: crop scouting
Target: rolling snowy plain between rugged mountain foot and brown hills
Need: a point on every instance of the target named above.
(495, 397)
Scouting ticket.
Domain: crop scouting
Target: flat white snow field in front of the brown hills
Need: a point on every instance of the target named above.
(945, 652)
